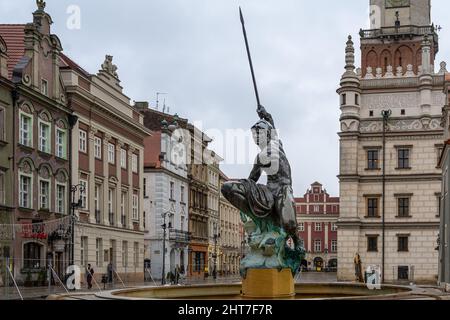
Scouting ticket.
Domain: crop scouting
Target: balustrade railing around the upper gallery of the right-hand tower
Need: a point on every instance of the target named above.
(398, 31)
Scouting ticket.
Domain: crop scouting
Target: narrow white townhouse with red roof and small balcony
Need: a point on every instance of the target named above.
(166, 202)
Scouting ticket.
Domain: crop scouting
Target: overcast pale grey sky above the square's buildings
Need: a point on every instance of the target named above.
(194, 50)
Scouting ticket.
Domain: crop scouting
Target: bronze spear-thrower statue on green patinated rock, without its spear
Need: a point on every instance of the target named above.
(268, 211)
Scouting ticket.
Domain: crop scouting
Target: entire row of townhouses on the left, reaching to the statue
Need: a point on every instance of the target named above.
(87, 178)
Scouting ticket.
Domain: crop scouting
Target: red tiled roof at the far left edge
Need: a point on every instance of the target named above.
(13, 34)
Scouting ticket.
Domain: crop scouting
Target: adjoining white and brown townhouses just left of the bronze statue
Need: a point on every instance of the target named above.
(182, 199)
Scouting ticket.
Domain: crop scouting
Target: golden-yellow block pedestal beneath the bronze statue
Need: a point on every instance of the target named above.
(268, 284)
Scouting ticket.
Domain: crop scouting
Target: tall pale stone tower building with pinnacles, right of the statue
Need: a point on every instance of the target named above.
(390, 142)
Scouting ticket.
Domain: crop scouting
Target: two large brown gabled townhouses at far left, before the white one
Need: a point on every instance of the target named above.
(71, 161)
